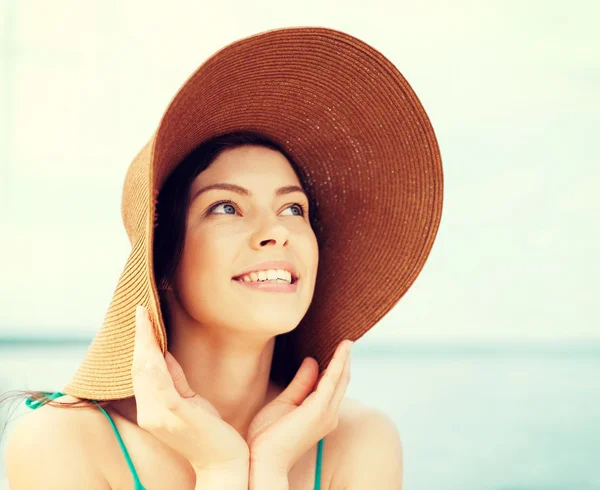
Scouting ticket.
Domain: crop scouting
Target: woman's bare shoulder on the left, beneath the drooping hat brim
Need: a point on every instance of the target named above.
(50, 448)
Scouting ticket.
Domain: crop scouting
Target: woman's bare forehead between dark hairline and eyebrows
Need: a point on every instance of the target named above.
(248, 165)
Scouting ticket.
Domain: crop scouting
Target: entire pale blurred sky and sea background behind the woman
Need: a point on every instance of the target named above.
(490, 364)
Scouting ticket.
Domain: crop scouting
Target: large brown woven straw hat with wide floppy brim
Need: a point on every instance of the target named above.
(354, 125)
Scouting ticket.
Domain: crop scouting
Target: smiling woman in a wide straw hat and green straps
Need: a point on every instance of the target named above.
(224, 357)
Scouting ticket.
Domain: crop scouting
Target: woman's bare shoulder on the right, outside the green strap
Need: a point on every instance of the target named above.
(366, 448)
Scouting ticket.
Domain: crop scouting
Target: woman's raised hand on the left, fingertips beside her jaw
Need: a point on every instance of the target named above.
(169, 409)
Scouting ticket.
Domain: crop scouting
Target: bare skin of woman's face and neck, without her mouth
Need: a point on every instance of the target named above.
(225, 335)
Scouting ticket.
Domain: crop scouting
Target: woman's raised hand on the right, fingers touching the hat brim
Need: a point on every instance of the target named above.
(293, 422)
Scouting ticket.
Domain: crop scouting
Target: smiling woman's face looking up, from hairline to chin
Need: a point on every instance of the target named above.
(267, 219)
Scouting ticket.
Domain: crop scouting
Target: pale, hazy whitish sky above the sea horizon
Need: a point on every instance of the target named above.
(511, 88)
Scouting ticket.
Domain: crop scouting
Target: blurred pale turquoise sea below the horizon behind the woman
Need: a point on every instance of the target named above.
(506, 415)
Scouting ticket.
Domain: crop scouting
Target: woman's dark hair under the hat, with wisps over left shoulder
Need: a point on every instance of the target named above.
(170, 229)
